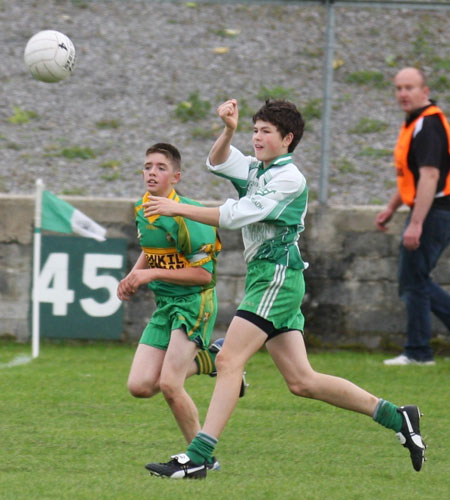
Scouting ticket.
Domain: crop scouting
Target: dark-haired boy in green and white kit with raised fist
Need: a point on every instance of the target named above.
(270, 210)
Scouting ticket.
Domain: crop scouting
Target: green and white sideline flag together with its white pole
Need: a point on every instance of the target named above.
(54, 214)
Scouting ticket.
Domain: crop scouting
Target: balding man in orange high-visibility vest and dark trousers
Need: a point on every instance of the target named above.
(422, 160)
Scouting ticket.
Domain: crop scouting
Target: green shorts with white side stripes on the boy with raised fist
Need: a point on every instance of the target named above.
(275, 292)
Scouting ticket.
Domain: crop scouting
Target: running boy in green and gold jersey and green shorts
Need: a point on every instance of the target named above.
(178, 263)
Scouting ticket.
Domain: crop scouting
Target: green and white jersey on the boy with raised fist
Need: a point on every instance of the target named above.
(271, 208)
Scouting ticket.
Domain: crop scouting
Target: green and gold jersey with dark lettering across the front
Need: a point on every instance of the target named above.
(176, 243)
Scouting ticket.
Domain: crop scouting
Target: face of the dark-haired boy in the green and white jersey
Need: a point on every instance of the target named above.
(268, 143)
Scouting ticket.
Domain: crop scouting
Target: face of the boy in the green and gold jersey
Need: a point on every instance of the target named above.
(159, 174)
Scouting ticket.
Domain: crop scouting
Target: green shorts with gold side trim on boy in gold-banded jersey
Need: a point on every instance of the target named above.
(195, 314)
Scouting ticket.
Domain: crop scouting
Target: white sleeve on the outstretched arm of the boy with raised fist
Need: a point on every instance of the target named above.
(266, 204)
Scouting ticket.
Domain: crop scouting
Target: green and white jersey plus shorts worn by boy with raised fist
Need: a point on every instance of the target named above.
(271, 213)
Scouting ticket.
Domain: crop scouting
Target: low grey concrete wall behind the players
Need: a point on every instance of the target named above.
(351, 282)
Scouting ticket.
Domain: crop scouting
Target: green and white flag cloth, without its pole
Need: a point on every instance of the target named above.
(60, 216)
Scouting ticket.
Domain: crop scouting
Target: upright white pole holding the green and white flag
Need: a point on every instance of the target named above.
(36, 267)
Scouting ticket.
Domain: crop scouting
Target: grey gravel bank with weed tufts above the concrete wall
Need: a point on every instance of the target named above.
(138, 60)
